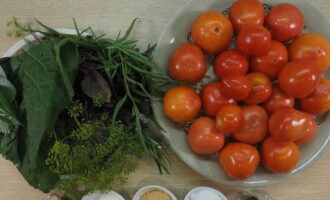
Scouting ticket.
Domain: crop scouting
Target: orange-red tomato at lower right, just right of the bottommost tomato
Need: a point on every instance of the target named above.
(279, 157)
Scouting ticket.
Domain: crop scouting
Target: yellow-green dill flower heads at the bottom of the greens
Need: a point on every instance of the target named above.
(95, 156)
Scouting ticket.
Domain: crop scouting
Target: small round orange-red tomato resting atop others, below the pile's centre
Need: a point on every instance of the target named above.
(229, 118)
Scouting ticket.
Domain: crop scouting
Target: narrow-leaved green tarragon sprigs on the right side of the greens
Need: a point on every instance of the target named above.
(133, 78)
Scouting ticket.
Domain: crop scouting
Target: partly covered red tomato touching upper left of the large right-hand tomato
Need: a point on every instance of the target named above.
(272, 62)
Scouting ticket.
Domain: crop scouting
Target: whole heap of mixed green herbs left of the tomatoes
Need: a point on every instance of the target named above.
(82, 102)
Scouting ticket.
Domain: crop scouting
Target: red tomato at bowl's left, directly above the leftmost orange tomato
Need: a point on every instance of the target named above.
(187, 63)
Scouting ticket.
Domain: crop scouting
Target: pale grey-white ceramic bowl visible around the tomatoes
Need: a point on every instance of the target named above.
(175, 34)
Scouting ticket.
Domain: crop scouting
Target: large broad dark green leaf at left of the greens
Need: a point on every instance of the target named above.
(45, 78)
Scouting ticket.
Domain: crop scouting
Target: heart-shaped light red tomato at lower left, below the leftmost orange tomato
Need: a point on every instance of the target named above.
(203, 138)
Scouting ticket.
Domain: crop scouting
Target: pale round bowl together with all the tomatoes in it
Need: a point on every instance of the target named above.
(253, 96)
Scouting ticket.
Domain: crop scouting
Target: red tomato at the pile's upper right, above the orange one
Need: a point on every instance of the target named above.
(286, 21)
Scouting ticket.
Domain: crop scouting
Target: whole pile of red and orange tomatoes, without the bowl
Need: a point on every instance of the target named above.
(268, 89)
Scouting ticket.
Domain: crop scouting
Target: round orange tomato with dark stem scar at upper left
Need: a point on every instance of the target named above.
(212, 31)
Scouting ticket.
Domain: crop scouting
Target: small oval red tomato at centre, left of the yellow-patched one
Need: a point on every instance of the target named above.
(236, 86)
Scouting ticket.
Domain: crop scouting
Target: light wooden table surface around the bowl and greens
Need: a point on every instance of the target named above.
(110, 16)
